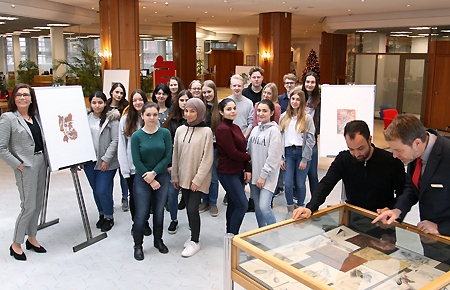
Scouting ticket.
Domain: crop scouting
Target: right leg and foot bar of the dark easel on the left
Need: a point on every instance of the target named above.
(84, 216)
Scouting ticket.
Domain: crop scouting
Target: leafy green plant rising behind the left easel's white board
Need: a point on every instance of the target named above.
(86, 68)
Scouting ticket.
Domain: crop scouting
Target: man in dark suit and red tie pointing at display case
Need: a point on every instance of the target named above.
(428, 174)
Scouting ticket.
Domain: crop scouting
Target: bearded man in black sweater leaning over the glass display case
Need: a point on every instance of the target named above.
(372, 177)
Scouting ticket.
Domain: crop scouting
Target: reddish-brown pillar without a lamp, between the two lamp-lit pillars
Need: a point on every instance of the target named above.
(184, 50)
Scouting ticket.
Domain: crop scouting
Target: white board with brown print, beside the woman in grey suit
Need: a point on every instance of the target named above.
(66, 130)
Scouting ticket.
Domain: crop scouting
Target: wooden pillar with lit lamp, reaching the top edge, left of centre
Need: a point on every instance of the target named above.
(119, 37)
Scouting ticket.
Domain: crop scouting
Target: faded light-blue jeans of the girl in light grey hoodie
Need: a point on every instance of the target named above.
(263, 211)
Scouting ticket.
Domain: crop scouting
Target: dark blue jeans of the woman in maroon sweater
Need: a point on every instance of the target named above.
(233, 184)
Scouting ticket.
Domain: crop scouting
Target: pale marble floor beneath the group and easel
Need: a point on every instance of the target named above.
(109, 263)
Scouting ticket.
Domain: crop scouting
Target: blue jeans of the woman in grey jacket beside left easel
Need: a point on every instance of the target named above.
(101, 183)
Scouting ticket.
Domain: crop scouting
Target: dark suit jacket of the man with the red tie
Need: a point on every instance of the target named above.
(434, 194)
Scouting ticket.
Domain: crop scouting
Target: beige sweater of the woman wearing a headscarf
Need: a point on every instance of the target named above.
(193, 157)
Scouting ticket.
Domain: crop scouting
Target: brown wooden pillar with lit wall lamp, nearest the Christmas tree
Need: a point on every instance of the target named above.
(275, 39)
